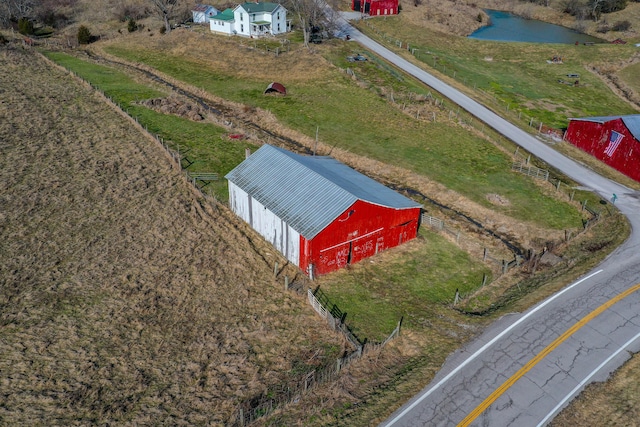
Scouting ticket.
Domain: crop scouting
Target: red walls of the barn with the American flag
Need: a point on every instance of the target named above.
(593, 138)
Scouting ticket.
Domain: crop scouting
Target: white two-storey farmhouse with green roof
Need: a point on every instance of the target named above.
(252, 20)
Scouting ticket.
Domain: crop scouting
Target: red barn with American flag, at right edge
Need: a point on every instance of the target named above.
(615, 140)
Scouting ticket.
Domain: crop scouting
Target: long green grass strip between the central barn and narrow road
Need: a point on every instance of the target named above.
(353, 118)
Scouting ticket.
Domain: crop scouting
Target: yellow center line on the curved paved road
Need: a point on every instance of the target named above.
(526, 368)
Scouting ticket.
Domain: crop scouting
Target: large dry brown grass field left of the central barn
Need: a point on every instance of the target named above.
(125, 298)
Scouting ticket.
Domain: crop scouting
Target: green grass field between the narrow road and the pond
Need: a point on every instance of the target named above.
(518, 75)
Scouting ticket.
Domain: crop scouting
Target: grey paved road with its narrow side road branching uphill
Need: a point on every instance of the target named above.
(526, 367)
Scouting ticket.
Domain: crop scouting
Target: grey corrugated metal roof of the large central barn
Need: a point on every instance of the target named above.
(309, 192)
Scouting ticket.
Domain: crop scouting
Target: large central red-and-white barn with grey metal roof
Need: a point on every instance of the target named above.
(319, 213)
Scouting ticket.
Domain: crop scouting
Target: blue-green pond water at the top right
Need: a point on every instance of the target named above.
(507, 27)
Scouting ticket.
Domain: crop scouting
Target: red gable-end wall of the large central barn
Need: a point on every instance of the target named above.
(361, 231)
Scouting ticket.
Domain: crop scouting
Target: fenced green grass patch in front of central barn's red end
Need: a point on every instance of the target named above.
(376, 294)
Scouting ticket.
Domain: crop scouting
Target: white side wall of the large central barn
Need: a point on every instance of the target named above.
(285, 239)
